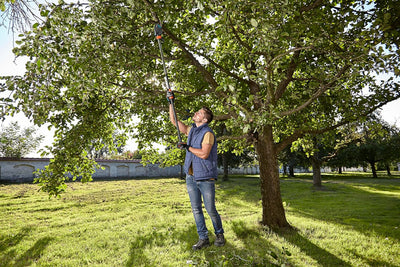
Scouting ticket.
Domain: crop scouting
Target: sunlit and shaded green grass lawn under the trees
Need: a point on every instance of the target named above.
(353, 221)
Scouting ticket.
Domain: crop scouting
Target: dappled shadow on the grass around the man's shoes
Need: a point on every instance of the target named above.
(256, 252)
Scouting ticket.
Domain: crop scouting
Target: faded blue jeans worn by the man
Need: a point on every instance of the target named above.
(197, 189)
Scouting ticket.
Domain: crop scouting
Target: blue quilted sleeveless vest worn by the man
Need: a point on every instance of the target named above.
(202, 168)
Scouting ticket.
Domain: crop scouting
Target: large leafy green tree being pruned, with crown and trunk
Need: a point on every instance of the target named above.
(271, 71)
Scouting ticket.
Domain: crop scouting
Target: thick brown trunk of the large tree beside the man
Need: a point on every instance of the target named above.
(273, 213)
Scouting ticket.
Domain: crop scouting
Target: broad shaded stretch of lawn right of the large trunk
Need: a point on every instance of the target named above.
(365, 205)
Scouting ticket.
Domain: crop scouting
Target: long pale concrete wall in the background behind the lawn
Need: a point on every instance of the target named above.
(21, 170)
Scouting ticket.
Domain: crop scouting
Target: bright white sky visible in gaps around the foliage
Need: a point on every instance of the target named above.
(9, 65)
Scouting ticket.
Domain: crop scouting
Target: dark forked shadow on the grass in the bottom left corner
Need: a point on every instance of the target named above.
(9, 254)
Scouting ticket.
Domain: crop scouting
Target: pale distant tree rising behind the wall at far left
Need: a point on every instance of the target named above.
(16, 142)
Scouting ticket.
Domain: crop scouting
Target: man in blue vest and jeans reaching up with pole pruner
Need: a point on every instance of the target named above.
(201, 173)
